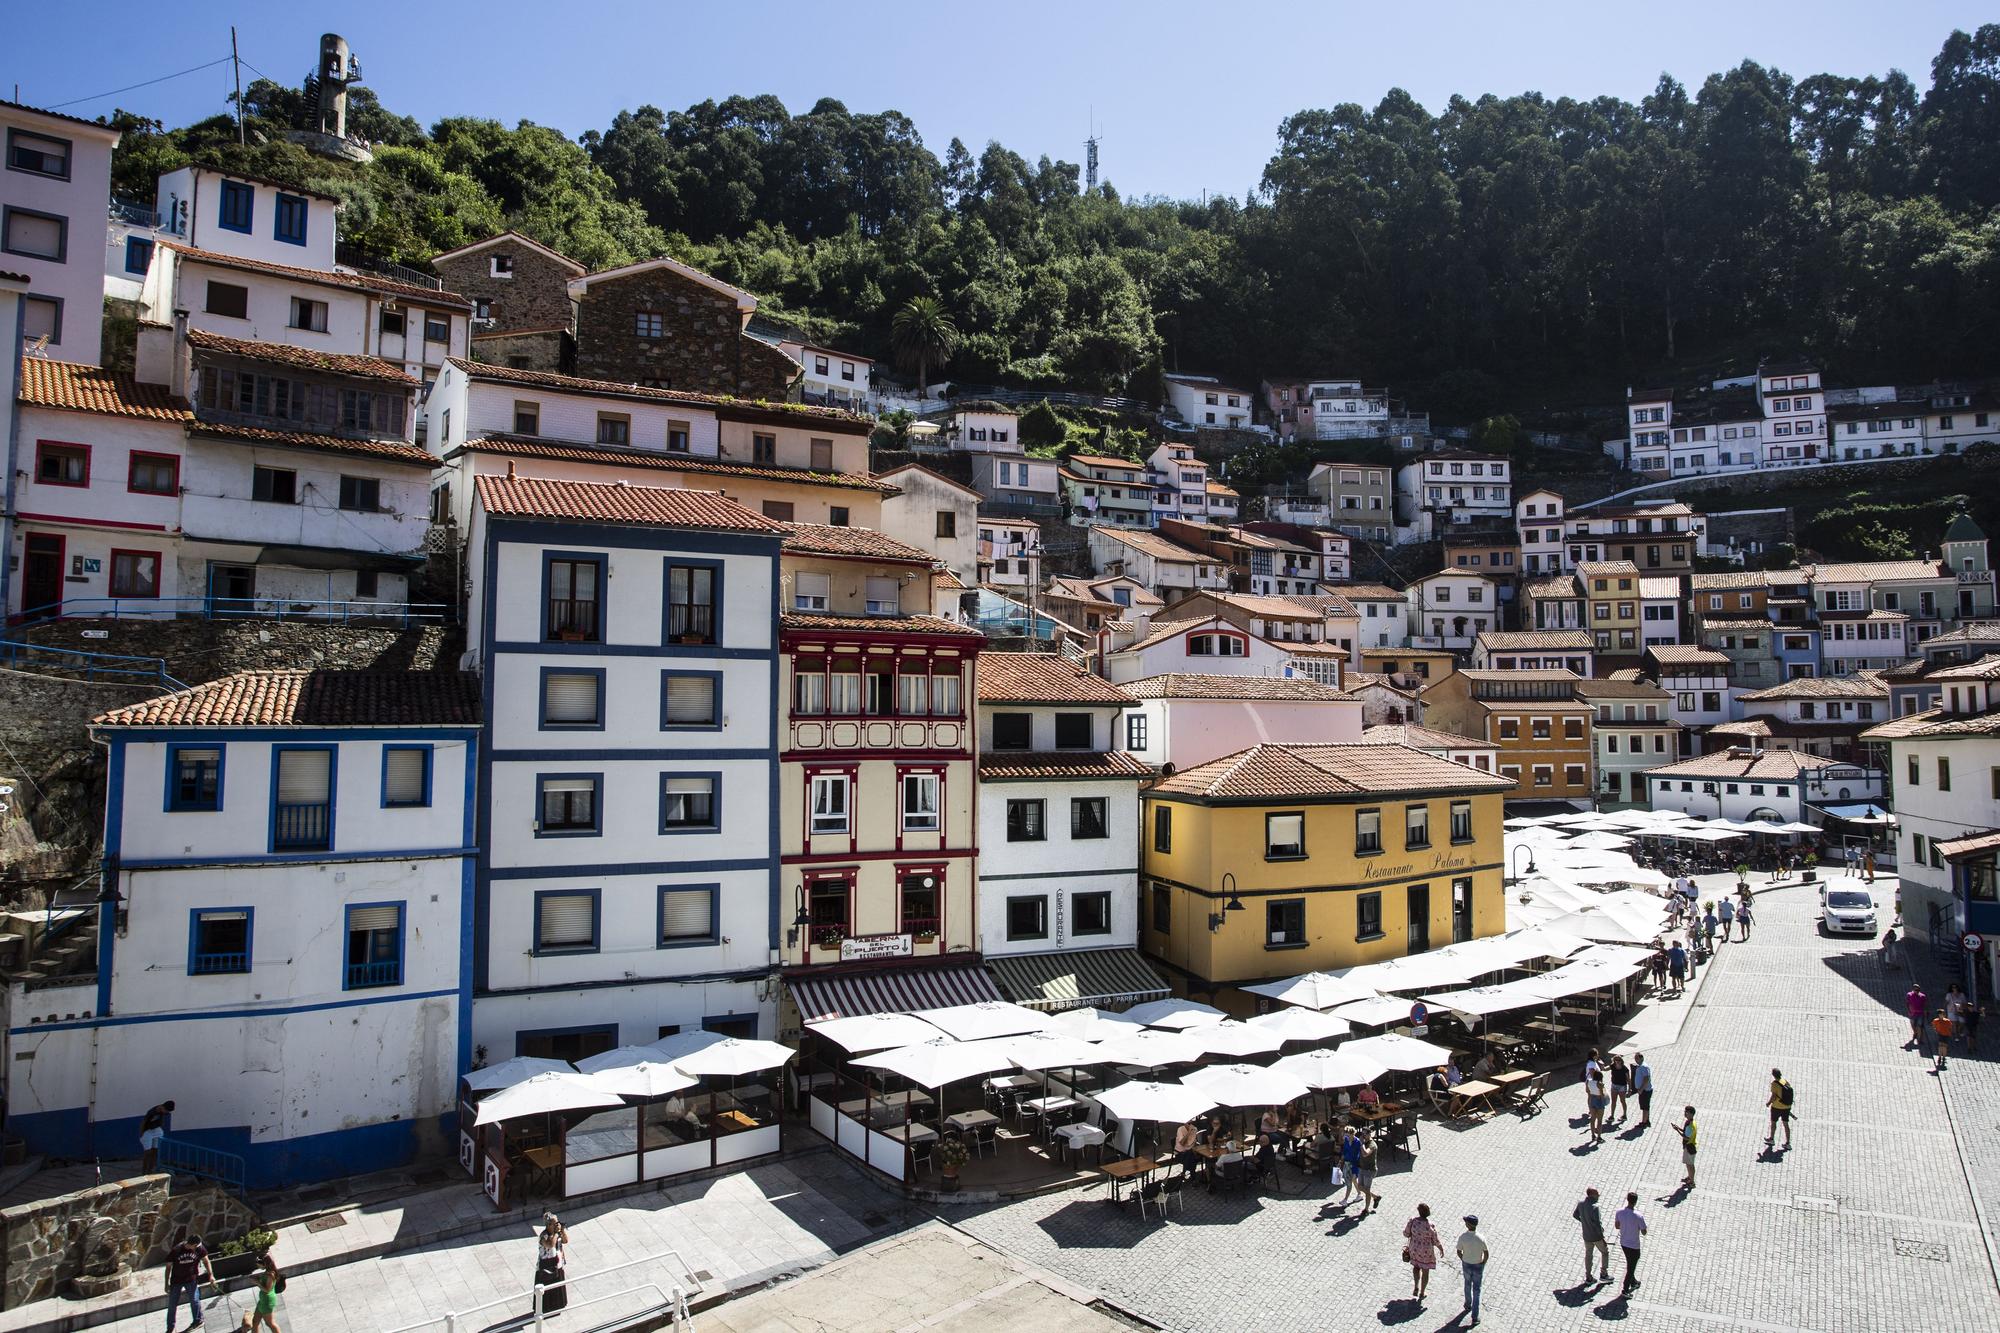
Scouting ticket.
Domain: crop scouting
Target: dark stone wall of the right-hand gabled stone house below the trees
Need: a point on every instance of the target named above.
(701, 345)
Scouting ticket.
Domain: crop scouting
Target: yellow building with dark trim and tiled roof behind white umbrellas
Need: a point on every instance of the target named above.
(1285, 860)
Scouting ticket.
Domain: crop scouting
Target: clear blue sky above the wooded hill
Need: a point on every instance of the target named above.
(1187, 97)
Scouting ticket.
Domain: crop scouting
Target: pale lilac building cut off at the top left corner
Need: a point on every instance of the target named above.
(53, 199)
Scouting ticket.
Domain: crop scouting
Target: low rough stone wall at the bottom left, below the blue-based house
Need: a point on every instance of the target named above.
(95, 1234)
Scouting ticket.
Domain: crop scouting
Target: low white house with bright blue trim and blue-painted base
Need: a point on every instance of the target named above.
(291, 862)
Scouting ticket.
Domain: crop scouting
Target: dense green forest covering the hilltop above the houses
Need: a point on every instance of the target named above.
(1503, 255)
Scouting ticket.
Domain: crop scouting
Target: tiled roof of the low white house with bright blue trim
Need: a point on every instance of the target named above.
(313, 700)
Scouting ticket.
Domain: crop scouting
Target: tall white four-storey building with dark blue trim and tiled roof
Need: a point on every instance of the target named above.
(631, 870)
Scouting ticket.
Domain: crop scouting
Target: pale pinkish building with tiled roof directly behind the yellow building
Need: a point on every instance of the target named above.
(1189, 718)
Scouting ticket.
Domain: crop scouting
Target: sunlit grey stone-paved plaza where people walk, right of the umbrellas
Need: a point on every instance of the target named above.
(1867, 1224)
